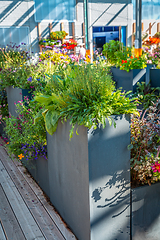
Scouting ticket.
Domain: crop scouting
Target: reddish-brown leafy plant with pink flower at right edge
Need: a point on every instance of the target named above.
(145, 146)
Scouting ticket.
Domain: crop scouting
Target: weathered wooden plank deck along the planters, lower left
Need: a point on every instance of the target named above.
(25, 212)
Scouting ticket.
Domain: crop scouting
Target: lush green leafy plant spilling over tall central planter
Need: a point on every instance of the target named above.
(86, 96)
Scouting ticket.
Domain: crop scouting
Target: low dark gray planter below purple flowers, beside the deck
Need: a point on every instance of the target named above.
(39, 170)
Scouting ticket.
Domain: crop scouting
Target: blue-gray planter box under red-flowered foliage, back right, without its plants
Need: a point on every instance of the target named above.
(128, 80)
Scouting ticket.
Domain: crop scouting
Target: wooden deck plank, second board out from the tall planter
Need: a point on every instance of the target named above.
(46, 223)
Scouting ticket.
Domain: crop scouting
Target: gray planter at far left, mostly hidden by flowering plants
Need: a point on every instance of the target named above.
(13, 96)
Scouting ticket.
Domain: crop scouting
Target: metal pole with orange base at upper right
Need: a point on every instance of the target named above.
(138, 39)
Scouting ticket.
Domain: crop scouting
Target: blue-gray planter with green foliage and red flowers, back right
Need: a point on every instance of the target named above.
(127, 70)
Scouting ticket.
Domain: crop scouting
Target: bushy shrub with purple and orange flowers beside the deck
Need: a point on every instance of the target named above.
(26, 140)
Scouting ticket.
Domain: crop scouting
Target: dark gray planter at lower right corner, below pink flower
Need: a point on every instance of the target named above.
(146, 212)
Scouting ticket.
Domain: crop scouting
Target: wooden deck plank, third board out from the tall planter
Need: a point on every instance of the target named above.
(22, 213)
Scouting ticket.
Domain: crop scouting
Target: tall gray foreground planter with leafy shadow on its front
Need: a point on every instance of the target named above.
(89, 179)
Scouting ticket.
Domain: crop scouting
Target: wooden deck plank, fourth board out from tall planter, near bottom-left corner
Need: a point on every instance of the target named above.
(10, 223)
